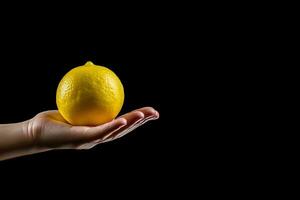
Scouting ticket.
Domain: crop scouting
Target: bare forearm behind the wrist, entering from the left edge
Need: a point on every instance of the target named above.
(14, 140)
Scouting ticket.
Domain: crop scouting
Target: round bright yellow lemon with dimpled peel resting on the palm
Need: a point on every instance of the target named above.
(89, 95)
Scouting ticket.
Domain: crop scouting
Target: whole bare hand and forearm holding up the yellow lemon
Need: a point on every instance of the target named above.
(48, 131)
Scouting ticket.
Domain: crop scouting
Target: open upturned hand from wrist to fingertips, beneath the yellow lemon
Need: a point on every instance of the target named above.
(49, 130)
